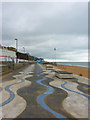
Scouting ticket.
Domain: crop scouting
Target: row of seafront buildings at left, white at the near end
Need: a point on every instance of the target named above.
(10, 54)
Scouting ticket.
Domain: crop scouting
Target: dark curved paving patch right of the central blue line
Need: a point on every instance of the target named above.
(55, 100)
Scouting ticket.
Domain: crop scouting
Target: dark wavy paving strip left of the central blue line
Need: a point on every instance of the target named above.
(30, 93)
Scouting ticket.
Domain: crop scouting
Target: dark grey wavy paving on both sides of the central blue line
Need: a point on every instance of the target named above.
(30, 93)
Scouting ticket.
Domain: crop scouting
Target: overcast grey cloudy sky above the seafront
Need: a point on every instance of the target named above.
(42, 26)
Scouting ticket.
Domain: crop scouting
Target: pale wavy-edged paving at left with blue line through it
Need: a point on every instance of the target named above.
(11, 100)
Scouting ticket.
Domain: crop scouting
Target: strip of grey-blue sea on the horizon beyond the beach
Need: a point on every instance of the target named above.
(82, 64)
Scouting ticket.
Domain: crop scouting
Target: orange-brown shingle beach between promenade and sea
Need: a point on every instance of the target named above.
(82, 71)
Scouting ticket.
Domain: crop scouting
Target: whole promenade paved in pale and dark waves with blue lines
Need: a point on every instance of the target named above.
(36, 92)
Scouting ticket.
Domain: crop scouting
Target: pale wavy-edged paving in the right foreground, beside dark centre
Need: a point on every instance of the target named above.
(74, 103)
